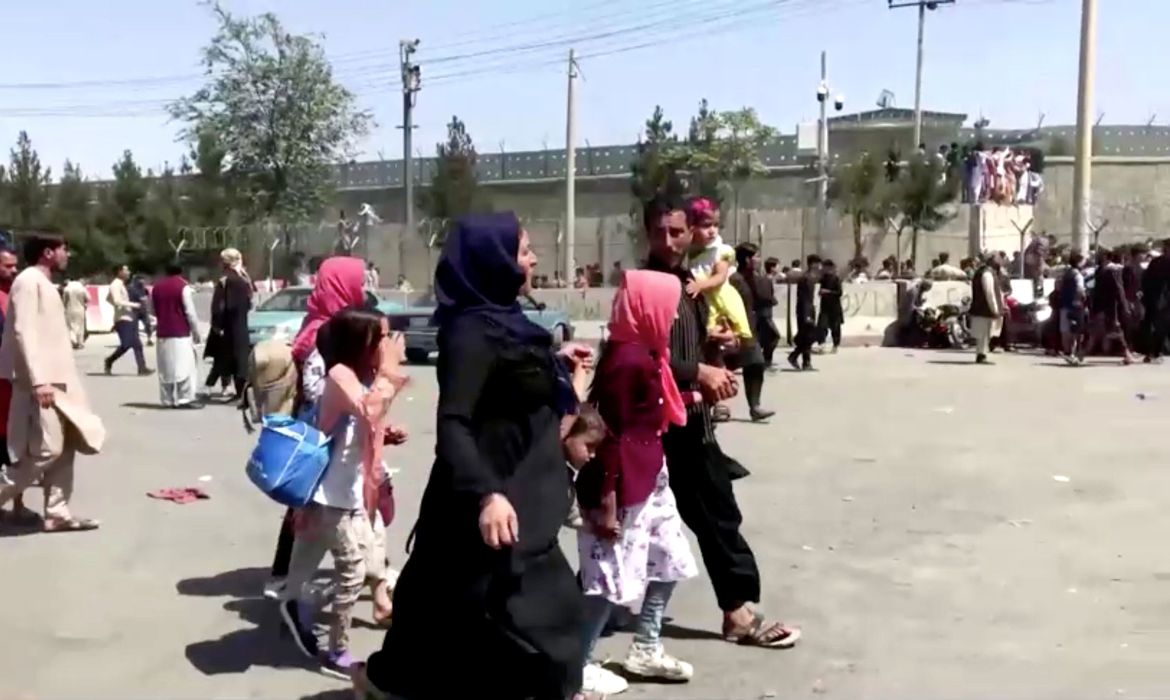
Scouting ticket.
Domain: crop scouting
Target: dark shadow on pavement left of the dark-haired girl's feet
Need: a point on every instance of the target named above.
(259, 646)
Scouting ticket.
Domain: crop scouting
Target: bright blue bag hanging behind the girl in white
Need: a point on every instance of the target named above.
(290, 461)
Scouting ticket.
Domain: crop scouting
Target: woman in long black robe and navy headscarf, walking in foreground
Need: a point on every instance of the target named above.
(487, 587)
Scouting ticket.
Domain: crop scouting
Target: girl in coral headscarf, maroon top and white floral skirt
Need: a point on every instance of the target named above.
(634, 546)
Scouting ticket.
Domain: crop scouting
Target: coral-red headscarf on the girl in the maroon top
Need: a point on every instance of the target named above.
(644, 311)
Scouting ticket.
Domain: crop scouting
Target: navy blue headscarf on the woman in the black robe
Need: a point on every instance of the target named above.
(479, 274)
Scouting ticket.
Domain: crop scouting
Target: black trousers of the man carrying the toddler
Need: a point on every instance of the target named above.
(703, 490)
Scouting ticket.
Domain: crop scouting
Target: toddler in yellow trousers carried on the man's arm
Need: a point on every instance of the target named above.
(712, 263)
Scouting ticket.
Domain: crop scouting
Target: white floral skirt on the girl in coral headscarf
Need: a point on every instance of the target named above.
(651, 547)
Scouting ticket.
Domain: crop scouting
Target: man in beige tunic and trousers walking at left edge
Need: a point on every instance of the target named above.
(50, 421)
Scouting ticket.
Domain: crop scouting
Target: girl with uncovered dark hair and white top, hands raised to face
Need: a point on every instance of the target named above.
(350, 500)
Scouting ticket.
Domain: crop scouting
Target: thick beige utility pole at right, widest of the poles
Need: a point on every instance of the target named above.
(1083, 173)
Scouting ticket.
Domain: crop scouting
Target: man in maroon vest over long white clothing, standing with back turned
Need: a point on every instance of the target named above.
(178, 332)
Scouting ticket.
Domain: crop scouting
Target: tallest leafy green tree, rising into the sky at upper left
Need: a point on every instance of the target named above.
(283, 119)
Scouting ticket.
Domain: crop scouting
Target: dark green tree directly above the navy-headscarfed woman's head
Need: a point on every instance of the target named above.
(455, 188)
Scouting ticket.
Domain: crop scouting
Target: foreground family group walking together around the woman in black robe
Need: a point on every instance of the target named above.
(521, 437)
